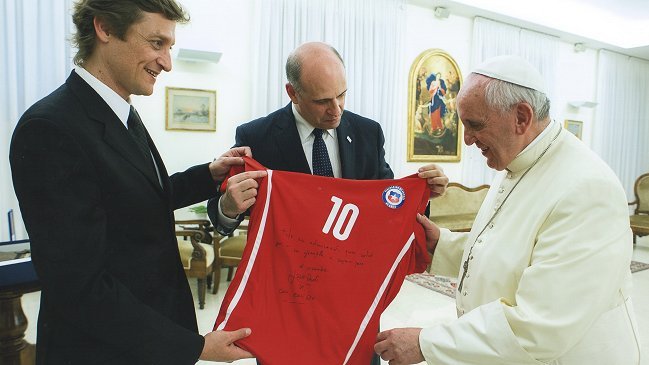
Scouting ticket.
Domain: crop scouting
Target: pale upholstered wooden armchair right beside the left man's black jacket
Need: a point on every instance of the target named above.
(197, 259)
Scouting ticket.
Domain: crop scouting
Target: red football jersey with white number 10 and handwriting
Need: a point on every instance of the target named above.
(324, 257)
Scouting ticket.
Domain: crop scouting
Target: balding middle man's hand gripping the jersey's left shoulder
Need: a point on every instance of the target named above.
(241, 193)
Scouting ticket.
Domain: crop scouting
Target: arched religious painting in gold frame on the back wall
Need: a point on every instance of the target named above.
(434, 128)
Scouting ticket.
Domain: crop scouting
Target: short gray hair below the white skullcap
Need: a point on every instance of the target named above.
(502, 96)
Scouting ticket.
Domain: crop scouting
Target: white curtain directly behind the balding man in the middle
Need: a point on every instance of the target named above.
(368, 35)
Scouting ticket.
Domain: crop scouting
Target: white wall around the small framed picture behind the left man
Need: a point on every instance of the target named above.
(223, 26)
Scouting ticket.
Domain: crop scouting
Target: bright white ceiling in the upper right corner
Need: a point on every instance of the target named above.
(617, 25)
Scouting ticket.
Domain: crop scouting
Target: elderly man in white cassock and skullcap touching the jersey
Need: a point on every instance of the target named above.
(543, 276)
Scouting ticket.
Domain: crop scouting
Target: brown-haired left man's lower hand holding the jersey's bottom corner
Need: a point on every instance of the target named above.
(219, 346)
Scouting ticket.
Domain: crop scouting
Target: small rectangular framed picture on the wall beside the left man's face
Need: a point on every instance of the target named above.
(190, 109)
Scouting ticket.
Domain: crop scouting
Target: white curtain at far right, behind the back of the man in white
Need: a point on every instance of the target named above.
(621, 127)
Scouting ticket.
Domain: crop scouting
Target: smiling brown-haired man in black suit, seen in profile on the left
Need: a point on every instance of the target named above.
(98, 204)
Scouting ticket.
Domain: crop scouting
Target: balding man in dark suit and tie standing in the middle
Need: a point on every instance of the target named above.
(288, 139)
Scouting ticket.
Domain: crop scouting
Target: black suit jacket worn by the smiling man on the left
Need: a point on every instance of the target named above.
(102, 235)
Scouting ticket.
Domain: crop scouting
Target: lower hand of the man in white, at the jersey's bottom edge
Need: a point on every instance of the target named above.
(399, 346)
